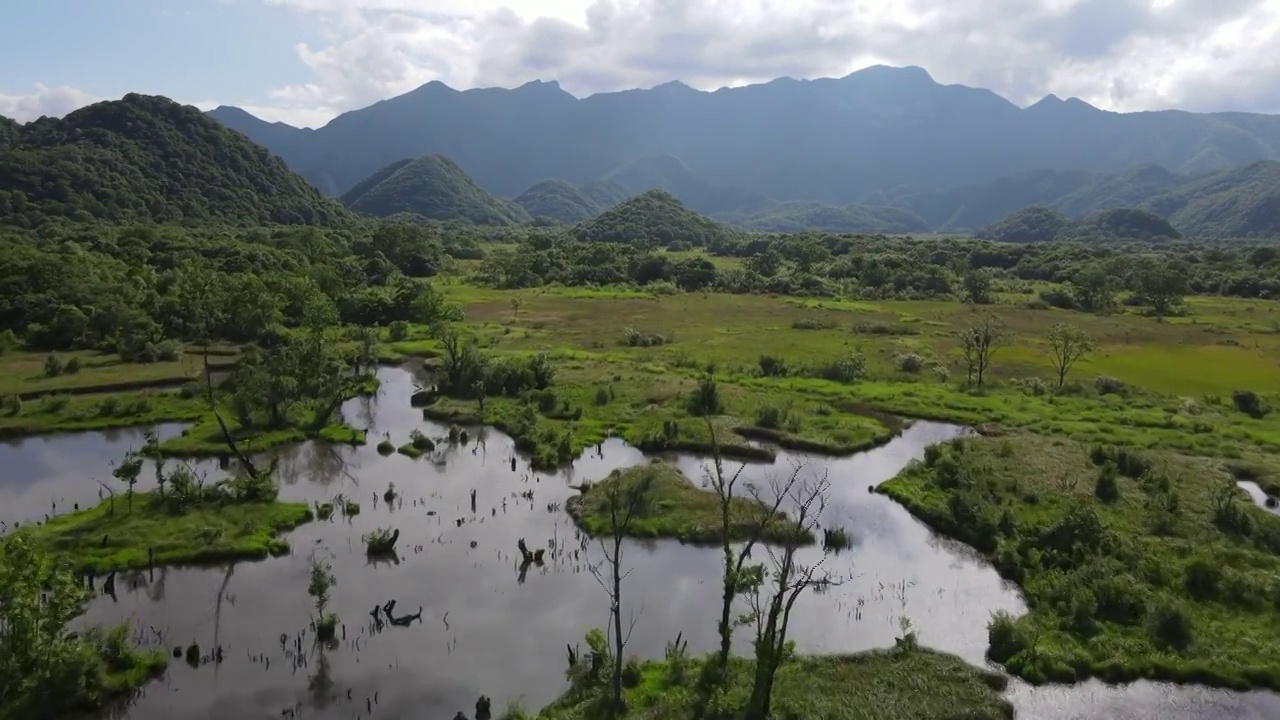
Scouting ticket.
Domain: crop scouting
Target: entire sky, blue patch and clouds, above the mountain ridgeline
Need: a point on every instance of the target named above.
(304, 62)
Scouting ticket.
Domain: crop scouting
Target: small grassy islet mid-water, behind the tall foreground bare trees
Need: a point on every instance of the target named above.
(671, 507)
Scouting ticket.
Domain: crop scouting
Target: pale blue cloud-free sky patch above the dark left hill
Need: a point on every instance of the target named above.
(195, 51)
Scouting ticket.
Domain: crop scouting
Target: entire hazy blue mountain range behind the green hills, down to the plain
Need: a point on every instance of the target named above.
(883, 149)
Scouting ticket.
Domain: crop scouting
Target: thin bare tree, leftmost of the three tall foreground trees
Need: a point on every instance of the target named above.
(625, 499)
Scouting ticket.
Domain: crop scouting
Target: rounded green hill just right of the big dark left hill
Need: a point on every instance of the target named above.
(435, 188)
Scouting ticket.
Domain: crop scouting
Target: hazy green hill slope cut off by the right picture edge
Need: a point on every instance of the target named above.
(1238, 203)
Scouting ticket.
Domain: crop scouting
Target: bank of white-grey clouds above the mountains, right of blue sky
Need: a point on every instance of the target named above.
(1118, 54)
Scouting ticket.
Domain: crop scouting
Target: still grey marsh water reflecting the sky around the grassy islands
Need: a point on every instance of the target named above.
(486, 627)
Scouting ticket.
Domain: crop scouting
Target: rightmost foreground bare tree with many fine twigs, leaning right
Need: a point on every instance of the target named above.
(787, 580)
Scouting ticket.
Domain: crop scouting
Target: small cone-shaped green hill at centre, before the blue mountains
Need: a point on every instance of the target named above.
(653, 218)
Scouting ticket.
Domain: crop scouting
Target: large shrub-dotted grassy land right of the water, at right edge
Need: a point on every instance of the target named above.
(1136, 564)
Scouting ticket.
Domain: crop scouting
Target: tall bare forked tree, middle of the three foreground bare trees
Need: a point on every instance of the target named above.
(738, 576)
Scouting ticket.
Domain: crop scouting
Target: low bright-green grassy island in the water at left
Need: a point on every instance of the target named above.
(113, 536)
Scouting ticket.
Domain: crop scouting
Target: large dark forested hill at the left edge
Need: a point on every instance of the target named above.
(148, 158)
